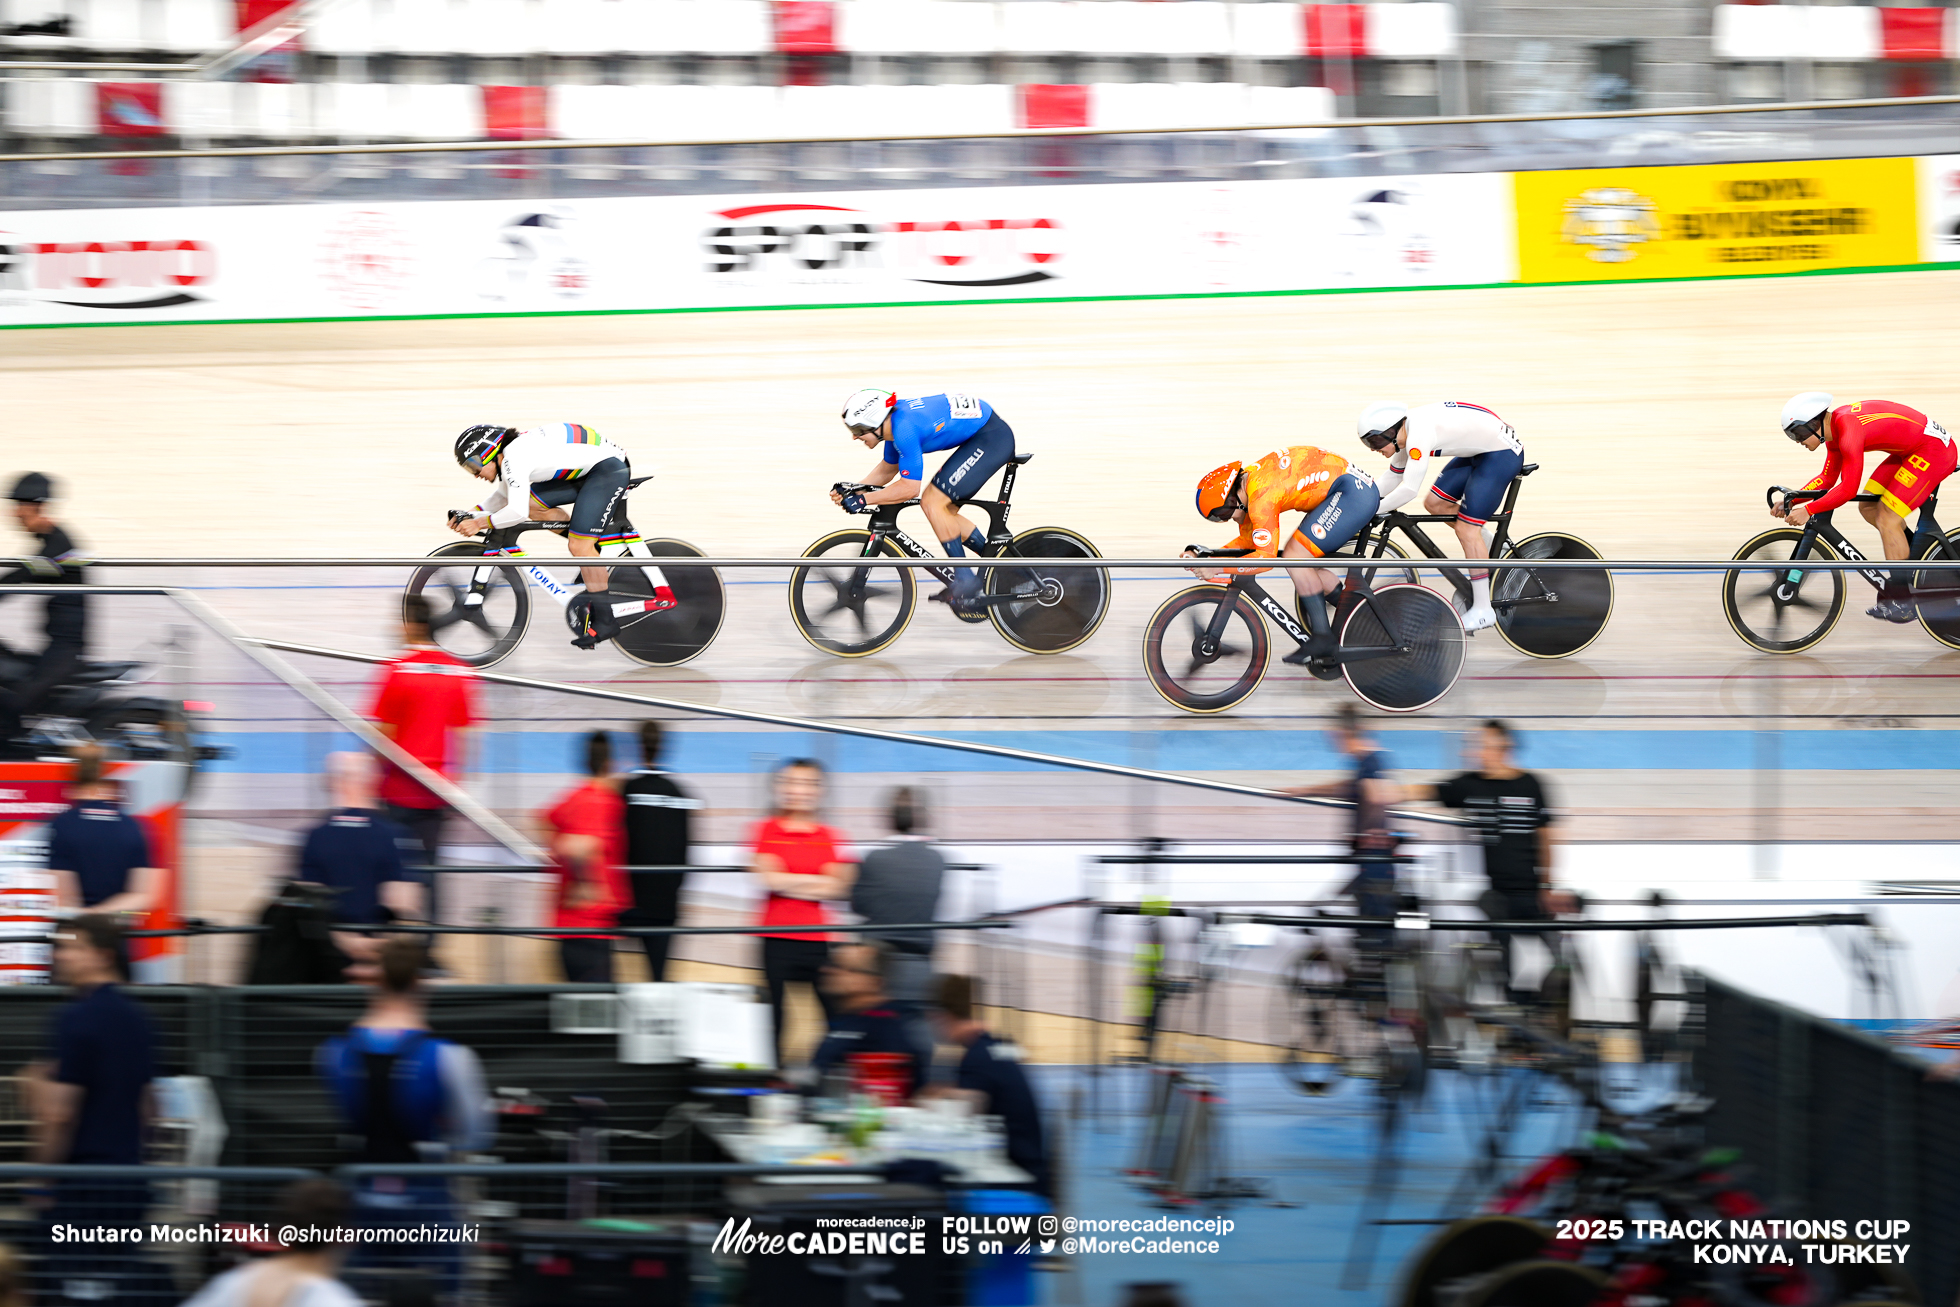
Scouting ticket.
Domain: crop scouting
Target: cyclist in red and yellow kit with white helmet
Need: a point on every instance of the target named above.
(1922, 458)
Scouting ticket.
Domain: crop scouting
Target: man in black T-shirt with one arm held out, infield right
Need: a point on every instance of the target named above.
(1514, 822)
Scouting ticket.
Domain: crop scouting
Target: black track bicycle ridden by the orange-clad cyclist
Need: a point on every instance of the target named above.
(1206, 650)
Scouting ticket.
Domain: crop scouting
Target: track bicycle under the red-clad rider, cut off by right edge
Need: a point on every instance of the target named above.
(1788, 608)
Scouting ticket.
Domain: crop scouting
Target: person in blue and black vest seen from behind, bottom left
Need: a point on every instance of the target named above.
(407, 1096)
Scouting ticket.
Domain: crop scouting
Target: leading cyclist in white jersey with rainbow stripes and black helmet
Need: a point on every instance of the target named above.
(558, 473)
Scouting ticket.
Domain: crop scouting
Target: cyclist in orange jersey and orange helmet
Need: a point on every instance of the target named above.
(1338, 503)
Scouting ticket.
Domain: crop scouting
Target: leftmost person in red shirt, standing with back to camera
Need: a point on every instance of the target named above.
(426, 702)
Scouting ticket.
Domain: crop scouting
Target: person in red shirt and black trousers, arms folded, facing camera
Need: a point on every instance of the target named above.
(799, 861)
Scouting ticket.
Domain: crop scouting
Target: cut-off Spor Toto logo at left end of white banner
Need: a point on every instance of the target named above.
(124, 275)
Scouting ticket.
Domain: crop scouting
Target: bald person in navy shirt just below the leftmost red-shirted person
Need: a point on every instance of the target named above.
(358, 853)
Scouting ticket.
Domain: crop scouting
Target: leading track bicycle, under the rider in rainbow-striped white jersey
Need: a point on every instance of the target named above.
(481, 612)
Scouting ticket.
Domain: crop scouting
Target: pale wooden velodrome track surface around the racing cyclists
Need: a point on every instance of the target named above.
(1649, 407)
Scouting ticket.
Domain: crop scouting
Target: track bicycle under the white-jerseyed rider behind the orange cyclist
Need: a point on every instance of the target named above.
(1549, 614)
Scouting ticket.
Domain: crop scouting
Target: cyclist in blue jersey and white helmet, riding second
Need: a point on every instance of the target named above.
(910, 430)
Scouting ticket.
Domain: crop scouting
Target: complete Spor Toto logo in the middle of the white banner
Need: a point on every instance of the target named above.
(824, 238)
